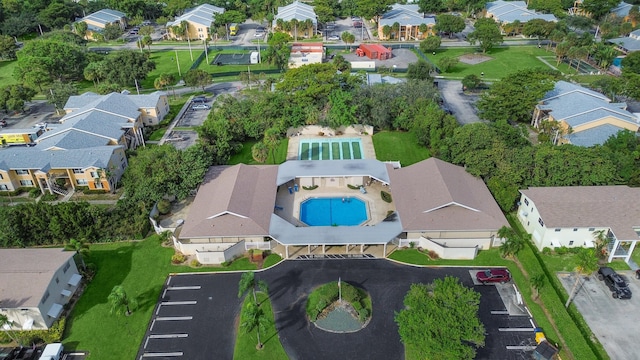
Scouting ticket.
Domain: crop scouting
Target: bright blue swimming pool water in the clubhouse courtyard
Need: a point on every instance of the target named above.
(348, 211)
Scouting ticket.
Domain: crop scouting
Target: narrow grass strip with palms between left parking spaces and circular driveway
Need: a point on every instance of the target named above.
(246, 342)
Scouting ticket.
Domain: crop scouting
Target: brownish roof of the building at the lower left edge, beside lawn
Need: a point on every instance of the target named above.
(26, 273)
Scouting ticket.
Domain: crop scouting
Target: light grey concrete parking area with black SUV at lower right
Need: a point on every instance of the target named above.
(613, 321)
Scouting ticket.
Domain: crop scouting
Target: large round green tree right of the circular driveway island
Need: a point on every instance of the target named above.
(440, 320)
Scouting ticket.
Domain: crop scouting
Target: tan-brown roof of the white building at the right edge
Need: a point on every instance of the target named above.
(617, 207)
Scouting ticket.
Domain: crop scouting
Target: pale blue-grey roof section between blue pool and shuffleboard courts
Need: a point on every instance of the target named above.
(335, 168)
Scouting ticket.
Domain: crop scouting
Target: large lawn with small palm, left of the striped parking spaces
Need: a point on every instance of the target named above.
(141, 268)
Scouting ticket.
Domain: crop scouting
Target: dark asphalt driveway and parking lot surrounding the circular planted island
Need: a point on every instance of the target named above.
(196, 316)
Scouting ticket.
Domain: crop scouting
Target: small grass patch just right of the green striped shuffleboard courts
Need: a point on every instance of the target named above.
(399, 146)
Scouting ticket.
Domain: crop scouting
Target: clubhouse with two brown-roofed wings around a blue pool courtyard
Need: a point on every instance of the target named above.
(355, 207)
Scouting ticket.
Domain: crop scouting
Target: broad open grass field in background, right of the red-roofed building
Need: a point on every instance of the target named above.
(504, 60)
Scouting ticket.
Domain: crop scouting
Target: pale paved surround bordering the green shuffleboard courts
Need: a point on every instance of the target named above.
(312, 133)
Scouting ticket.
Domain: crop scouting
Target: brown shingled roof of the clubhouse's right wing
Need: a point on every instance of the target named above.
(435, 195)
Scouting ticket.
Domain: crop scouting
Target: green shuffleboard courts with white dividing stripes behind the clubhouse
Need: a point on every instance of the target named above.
(330, 149)
